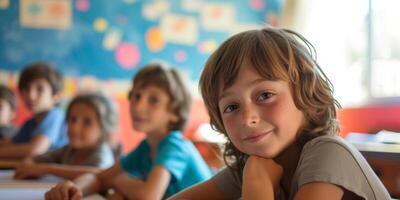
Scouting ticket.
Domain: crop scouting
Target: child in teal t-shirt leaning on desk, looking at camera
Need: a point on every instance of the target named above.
(164, 163)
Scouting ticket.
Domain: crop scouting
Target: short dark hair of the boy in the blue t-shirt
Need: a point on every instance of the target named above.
(39, 70)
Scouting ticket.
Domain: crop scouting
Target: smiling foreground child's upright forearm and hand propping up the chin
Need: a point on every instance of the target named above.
(261, 178)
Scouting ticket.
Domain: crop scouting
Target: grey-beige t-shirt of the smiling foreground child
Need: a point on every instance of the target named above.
(327, 159)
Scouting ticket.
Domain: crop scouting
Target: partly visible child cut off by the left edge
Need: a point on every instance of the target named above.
(8, 104)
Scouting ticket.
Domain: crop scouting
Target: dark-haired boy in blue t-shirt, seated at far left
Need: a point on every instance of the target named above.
(40, 86)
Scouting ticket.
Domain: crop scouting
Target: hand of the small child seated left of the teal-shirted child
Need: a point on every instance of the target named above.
(27, 170)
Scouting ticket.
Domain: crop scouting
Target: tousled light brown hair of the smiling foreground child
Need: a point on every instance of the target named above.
(276, 54)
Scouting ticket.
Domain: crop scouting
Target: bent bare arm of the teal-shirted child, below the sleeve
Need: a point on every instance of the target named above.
(153, 188)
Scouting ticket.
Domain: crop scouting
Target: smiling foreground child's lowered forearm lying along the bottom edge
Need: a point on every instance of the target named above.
(203, 190)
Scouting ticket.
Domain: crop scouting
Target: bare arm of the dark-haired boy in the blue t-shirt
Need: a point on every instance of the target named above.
(38, 145)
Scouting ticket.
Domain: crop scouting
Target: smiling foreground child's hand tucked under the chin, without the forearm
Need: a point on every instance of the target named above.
(258, 169)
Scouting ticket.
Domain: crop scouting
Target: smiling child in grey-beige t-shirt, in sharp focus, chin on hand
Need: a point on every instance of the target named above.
(265, 92)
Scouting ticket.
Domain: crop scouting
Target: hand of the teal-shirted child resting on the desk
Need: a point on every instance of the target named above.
(62, 191)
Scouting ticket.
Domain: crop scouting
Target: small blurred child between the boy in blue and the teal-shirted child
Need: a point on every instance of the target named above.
(91, 119)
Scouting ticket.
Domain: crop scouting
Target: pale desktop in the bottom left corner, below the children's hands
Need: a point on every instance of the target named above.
(11, 189)
